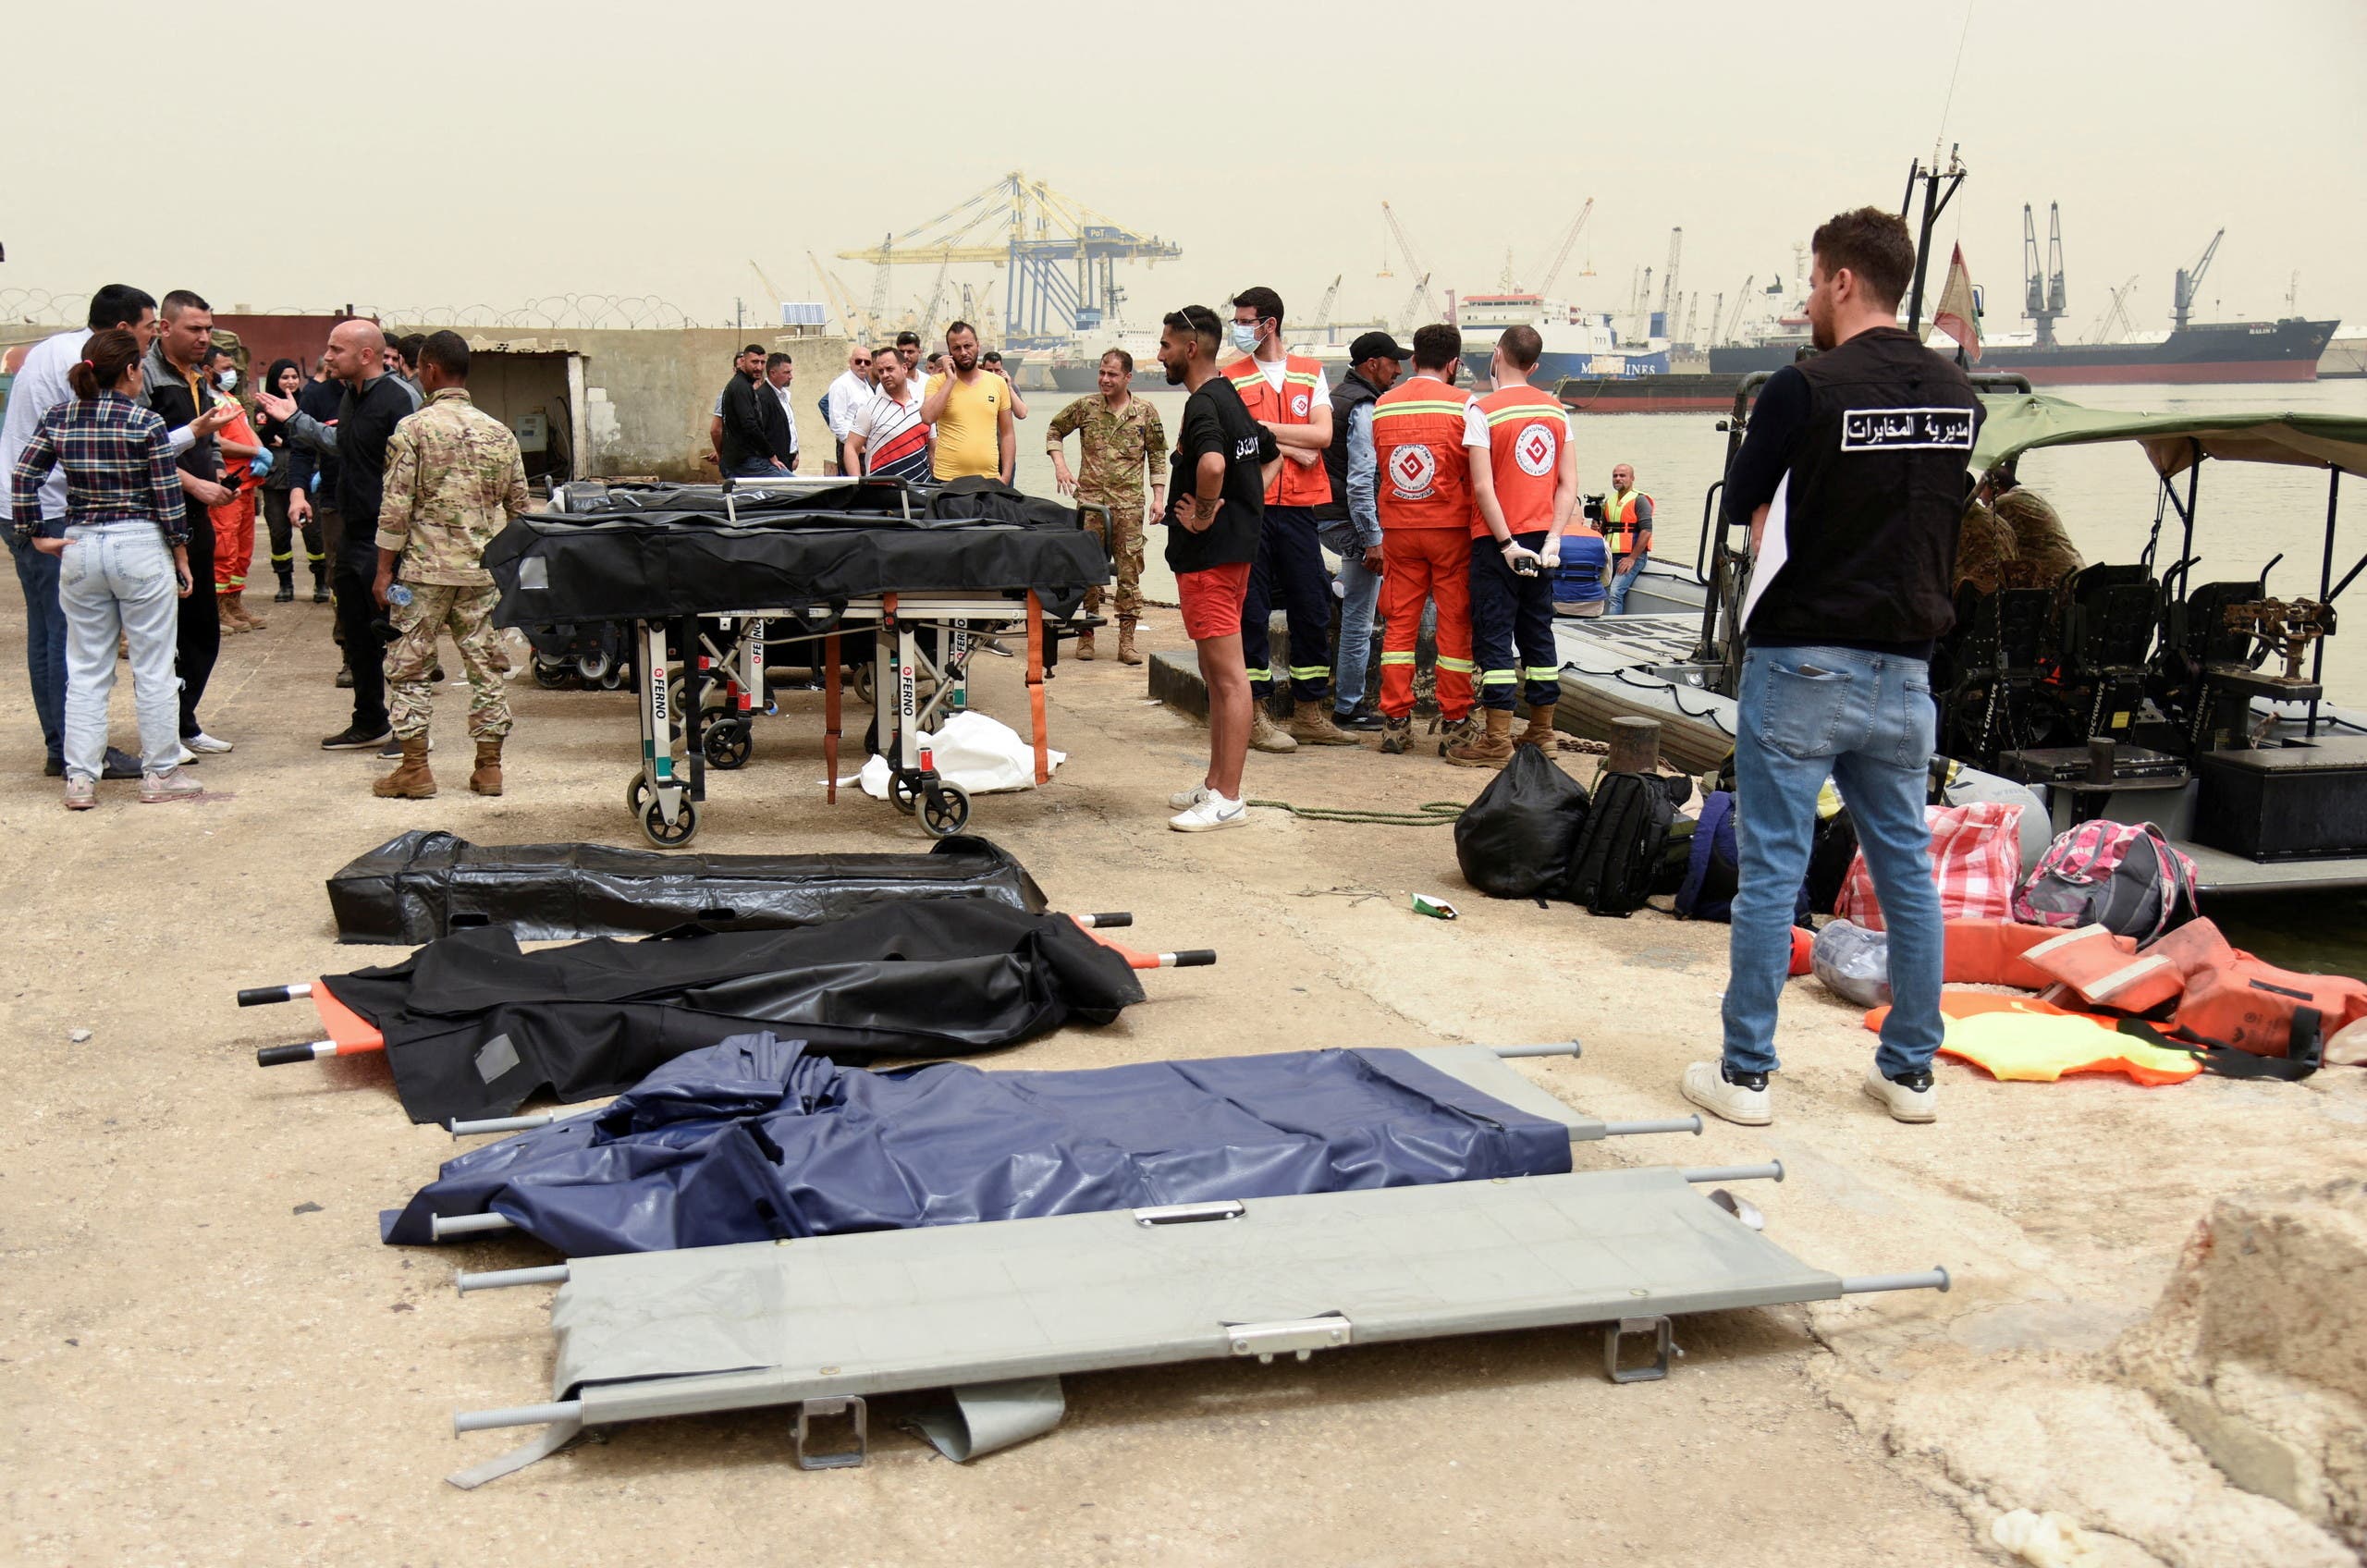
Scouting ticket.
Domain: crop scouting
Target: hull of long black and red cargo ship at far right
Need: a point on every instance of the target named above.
(2202, 352)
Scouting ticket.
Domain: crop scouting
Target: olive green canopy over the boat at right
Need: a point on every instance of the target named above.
(2172, 442)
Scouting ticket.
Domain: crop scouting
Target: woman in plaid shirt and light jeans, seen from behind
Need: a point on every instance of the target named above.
(124, 563)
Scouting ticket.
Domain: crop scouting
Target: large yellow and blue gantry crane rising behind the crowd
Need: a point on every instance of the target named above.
(1059, 257)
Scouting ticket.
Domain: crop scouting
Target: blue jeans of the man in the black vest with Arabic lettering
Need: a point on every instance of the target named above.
(1869, 724)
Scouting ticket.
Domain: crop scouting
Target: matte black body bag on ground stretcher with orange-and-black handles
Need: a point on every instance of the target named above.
(475, 1027)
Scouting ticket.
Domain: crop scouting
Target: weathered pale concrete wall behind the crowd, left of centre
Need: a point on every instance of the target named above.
(650, 394)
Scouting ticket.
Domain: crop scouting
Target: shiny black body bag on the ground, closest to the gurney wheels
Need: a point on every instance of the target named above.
(427, 885)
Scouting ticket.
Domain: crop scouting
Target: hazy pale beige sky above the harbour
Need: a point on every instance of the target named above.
(444, 155)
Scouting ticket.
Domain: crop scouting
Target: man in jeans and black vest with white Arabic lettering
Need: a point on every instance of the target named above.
(1852, 480)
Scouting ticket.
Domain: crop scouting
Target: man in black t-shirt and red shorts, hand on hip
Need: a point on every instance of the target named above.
(1215, 513)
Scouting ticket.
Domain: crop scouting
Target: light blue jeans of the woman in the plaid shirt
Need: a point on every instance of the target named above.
(117, 581)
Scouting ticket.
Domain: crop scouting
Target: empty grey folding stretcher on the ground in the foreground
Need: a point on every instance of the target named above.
(998, 1313)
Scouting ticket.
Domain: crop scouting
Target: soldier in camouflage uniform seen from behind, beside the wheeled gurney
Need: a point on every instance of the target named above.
(453, 480)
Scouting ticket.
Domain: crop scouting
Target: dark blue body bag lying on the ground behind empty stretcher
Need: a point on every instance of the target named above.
(759, 1140)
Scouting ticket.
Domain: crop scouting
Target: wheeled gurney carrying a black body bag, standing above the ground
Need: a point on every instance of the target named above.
(709, 579)
